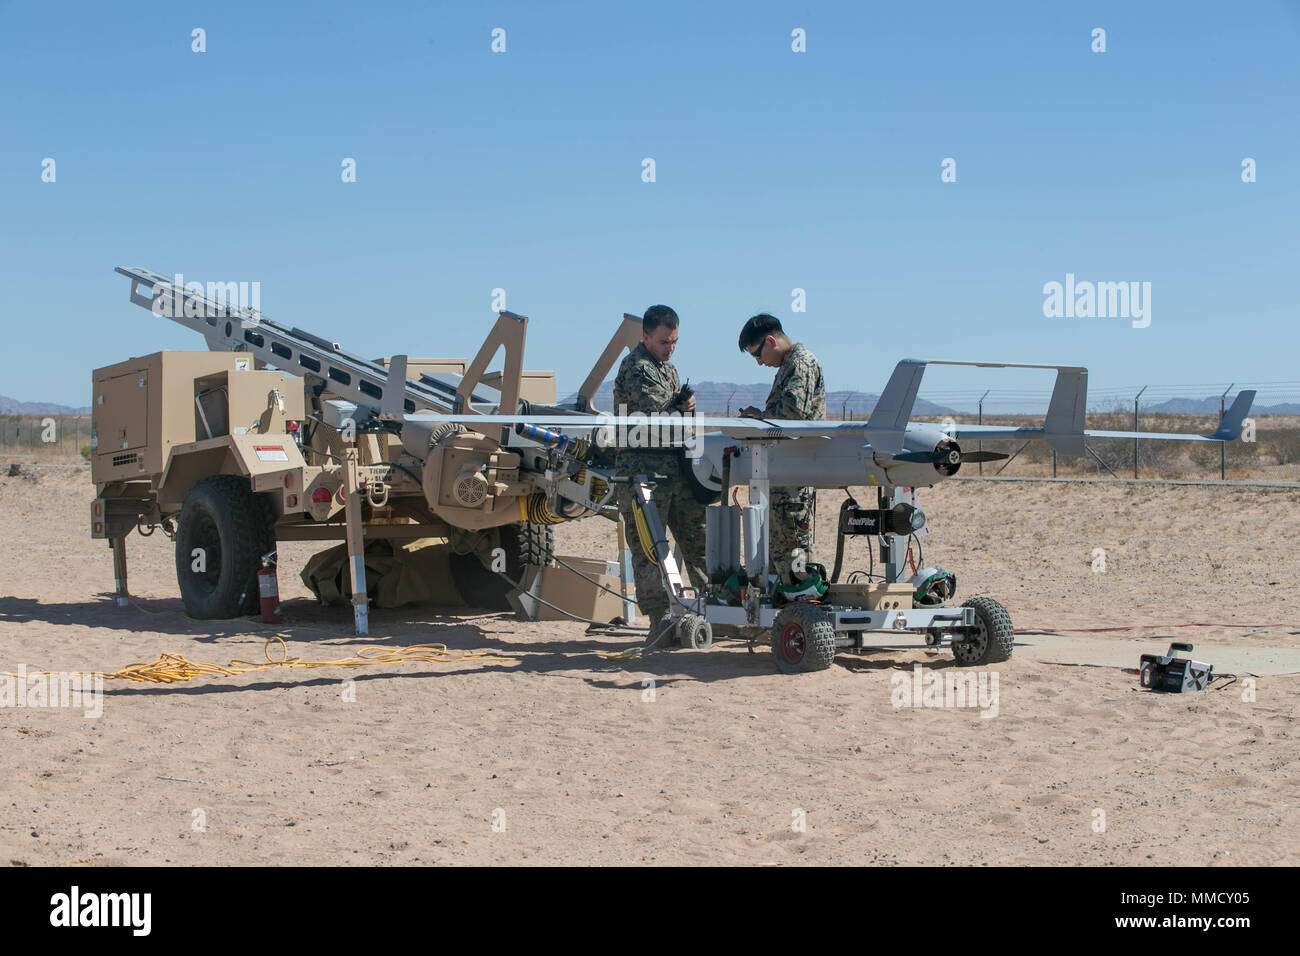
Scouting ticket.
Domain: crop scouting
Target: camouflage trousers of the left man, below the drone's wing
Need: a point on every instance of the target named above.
(682, 514)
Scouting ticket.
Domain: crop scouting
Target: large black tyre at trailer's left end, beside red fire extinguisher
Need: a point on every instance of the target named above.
(220, 539)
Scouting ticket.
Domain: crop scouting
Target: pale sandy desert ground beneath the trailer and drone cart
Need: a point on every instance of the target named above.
(730, 763)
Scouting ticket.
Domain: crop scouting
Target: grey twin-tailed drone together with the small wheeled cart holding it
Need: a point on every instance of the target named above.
(809, 625)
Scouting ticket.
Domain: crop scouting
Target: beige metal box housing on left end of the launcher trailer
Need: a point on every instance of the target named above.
(144, 408)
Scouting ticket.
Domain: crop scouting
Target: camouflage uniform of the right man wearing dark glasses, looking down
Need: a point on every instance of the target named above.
(799, 393)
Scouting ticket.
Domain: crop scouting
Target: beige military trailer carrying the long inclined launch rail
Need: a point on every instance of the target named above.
(276, 435)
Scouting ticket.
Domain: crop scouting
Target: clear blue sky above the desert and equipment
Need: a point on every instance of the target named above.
(775, 171)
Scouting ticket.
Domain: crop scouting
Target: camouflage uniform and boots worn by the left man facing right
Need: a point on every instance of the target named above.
(648, 386)
